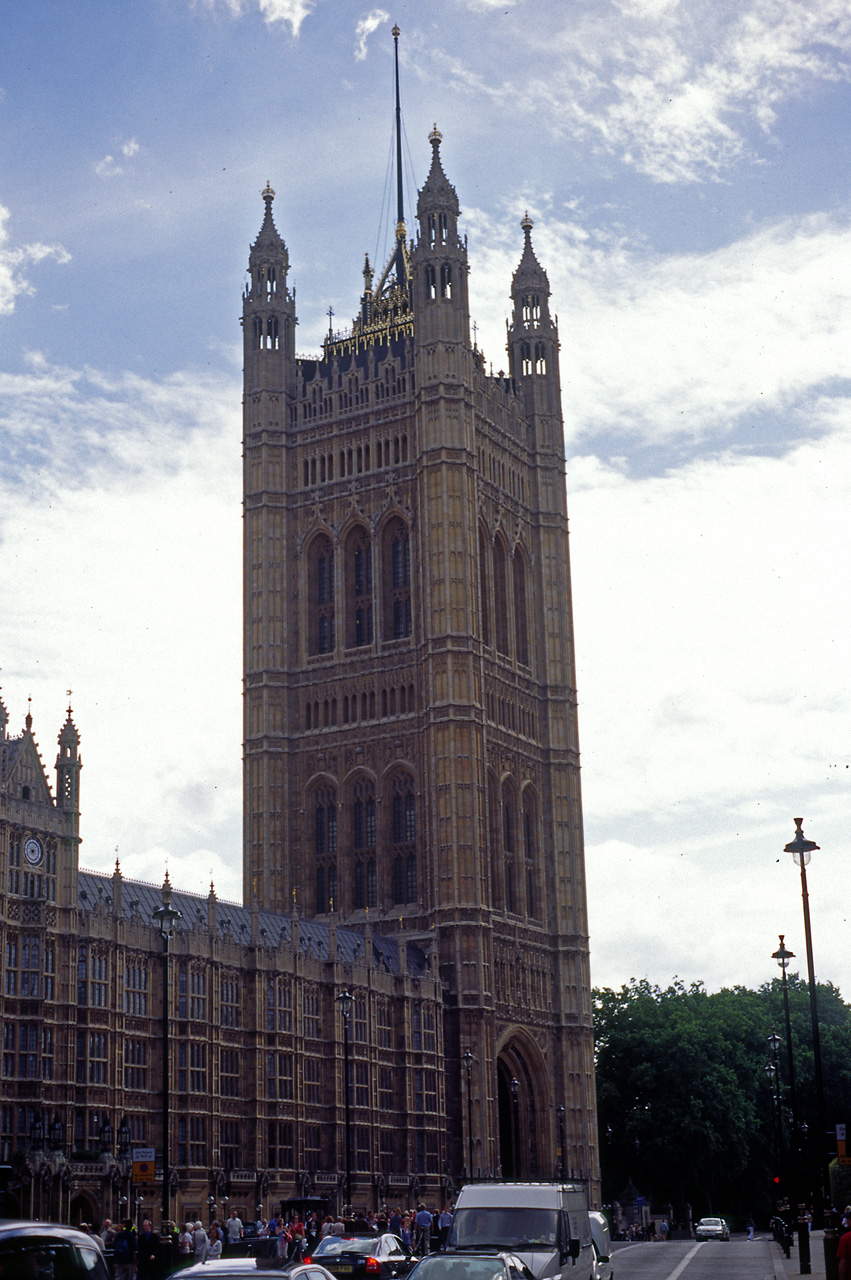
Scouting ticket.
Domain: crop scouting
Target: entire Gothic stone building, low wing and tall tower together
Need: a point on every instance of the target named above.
(413, 812)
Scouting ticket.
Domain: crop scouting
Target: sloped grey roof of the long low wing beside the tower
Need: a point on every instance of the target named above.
(141, 900)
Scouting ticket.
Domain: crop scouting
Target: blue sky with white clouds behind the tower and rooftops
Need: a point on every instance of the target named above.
(687, 166)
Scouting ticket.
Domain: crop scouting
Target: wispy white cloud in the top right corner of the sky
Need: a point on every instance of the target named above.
(675, 90)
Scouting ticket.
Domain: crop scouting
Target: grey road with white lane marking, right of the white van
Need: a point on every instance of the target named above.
(687, 1260)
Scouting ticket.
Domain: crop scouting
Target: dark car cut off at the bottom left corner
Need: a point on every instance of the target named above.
(40, 1251)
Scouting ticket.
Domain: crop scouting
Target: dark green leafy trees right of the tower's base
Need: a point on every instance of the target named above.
(687, 1108)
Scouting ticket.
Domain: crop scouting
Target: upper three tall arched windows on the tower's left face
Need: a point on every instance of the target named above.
(354, 597)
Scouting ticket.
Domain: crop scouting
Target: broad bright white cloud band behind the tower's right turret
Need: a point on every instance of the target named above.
(684, 348)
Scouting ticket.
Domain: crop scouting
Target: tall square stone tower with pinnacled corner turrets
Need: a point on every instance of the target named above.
(411, 753)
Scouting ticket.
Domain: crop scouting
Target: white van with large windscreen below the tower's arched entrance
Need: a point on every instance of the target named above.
(546, 1224)
